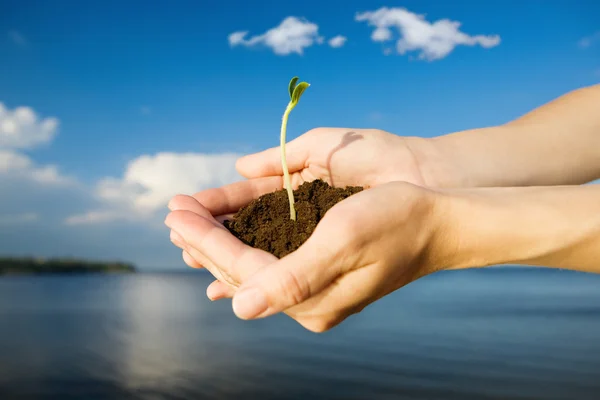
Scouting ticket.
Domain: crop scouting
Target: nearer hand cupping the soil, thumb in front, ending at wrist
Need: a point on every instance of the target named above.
(365, 247)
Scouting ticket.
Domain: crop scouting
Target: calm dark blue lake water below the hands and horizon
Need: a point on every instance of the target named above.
(480, 334)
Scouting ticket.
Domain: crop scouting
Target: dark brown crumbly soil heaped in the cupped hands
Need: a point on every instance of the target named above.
(265, 223)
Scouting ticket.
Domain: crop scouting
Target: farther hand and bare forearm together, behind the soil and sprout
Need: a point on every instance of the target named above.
(555, 144)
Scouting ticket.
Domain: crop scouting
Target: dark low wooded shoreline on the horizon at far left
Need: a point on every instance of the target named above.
(45, 266)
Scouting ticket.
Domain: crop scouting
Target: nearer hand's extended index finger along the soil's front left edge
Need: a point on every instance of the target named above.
(235, 260)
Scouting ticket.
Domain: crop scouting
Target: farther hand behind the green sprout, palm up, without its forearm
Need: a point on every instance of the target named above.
(339, 156)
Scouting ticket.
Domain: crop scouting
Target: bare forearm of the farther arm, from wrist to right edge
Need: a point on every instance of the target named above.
(555, 144)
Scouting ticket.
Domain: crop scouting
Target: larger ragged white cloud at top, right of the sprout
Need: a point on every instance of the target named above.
(433, 40)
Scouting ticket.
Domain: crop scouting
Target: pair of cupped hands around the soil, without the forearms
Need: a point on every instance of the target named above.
(365, 247)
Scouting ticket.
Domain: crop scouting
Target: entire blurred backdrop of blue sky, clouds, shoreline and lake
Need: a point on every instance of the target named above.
(108, 109)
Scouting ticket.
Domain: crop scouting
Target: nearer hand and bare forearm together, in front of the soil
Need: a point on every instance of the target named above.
(381, 239)
